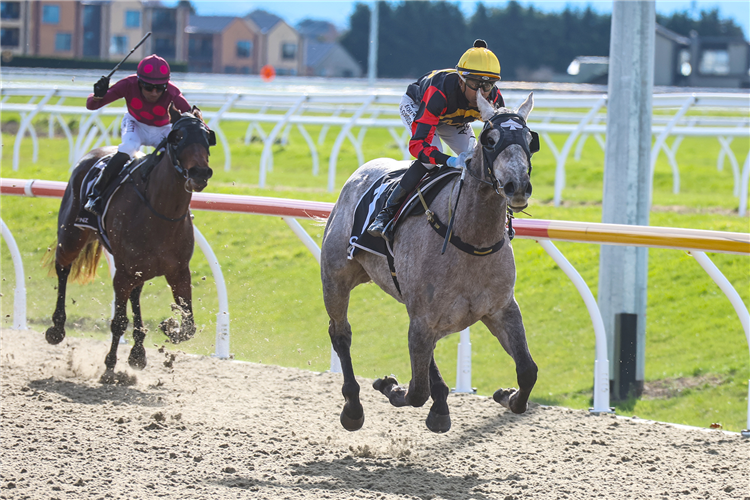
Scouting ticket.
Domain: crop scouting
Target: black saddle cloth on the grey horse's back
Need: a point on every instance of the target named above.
(373, 200)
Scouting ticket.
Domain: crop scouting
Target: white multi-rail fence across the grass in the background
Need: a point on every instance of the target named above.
(364, 109)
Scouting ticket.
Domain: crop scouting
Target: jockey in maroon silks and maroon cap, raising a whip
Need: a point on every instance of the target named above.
(147, 95)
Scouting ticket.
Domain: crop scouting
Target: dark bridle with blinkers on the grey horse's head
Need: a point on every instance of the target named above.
(512, 131)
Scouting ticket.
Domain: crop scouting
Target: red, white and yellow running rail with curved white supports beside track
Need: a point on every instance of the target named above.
(696, 242)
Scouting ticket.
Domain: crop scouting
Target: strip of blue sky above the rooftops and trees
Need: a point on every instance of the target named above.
(338, 11)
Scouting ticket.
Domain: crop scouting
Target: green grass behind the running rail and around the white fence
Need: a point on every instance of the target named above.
(275, 299)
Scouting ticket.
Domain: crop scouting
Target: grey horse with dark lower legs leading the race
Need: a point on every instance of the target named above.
(444, 293)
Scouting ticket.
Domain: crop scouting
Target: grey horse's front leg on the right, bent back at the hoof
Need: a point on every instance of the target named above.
(507, 326)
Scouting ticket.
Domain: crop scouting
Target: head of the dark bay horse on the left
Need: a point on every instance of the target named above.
(188, 146)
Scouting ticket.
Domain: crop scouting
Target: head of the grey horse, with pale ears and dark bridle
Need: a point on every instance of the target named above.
(504, 150)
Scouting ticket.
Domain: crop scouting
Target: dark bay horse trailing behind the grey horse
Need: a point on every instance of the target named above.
(150, 232)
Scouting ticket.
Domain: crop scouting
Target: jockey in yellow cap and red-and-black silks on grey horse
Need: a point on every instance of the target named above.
(443, 101)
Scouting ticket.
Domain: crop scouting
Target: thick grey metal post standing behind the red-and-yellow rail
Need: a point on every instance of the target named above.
(623, 271)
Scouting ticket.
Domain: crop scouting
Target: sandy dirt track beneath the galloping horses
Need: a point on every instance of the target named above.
(208, 429)
